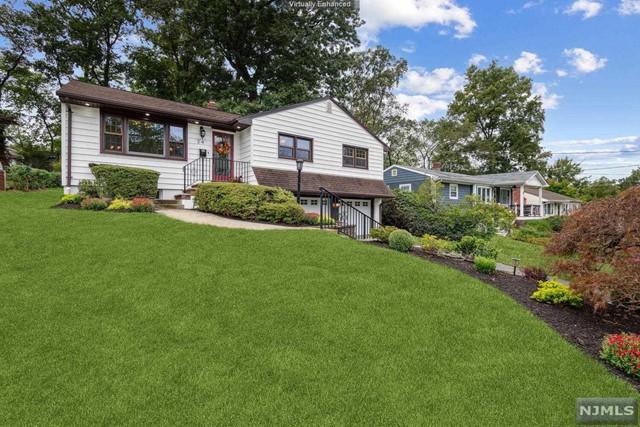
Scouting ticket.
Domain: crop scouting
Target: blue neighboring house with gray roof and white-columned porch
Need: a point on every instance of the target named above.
(508, 189)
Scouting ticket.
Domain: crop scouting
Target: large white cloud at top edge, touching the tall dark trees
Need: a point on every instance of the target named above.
(380, 15)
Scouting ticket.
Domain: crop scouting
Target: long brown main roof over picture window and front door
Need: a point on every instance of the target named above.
(86, 92)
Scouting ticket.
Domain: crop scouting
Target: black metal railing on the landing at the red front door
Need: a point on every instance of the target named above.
(206, 169)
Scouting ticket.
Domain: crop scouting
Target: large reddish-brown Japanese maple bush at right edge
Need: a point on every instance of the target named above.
(603, 239)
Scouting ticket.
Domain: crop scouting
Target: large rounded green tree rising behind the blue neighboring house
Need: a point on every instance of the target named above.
(507, 120)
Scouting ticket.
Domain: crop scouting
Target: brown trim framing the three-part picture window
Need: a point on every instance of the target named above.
(125, 135)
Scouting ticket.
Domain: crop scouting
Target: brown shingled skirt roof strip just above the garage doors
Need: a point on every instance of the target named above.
(341, 186)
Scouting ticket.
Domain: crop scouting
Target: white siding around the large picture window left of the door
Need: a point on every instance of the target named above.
(85, 149)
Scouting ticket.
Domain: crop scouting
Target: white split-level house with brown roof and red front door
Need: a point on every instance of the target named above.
(188, 144)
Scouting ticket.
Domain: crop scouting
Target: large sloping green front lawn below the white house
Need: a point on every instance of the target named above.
(138, 319)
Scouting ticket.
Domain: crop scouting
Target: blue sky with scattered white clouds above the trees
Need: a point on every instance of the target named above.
(582, 55)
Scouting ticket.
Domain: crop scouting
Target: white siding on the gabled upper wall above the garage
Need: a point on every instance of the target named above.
(329, 130)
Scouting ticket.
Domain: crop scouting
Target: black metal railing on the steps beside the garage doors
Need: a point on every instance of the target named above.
(338, 214)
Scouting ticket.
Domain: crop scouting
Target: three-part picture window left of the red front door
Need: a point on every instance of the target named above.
(142, 137)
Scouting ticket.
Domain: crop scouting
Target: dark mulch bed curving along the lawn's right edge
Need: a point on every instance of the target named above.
(580, 326)
